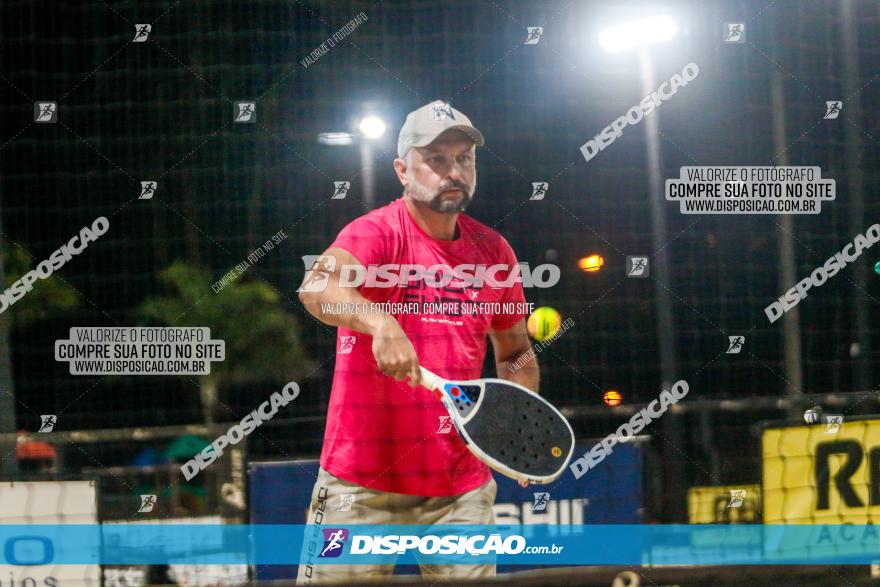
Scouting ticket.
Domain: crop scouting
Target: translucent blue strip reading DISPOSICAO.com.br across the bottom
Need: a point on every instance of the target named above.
(609, 544)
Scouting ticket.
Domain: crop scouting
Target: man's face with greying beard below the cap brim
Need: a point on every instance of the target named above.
(443, 175)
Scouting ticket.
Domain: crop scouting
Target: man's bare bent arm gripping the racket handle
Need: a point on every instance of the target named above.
(335, 305)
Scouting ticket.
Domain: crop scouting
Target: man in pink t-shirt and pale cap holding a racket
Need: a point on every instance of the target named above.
(389, 456)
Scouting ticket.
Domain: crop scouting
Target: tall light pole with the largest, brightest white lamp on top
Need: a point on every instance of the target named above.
(635, 36)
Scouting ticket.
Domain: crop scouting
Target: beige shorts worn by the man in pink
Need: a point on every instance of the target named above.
(337, 503)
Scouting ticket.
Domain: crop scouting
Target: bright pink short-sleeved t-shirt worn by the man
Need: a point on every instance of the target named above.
(384, 434)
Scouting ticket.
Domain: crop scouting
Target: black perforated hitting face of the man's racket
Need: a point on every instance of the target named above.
(519, 430)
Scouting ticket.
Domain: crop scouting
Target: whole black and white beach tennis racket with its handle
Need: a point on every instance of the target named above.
(513, 430)
